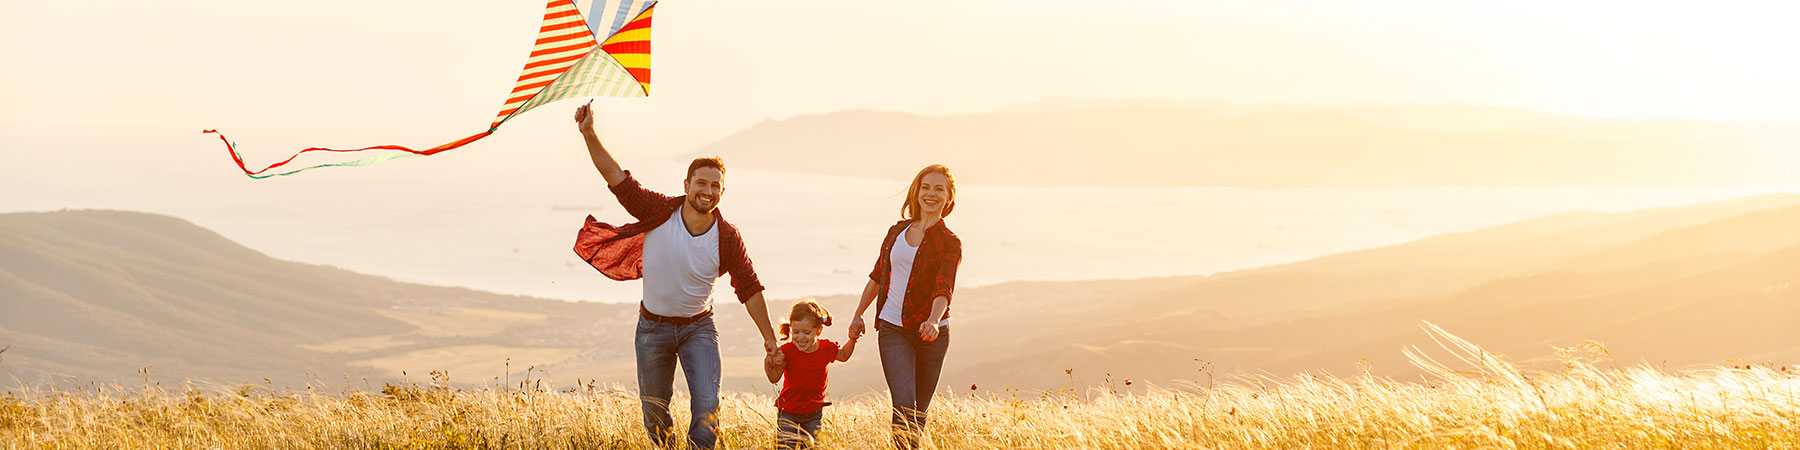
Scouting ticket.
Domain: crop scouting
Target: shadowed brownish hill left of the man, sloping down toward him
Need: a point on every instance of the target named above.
(102, 294)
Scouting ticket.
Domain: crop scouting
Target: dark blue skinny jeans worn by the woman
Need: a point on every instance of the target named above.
(912, 368)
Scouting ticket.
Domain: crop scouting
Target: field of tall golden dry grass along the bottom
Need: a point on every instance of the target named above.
(1475, 402)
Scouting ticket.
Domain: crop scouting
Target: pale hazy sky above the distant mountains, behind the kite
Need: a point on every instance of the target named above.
(350, 73)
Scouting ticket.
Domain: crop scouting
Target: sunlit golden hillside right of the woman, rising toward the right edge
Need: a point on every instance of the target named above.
(1680, 287)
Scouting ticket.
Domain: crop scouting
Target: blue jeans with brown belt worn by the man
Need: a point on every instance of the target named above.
(660, 348)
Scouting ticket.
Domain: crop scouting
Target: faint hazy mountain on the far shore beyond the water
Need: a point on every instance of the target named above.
(1210, 143)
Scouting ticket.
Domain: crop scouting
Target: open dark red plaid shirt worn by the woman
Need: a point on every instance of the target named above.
(933, 273)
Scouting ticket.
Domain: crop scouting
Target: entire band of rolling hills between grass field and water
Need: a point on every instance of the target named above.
(96, 296)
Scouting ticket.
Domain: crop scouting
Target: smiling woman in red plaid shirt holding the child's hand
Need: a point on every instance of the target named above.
(912, 287)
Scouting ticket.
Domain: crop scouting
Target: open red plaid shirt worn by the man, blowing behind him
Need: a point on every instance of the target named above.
(620, 251)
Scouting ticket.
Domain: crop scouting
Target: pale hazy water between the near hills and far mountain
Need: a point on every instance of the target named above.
(816, 235)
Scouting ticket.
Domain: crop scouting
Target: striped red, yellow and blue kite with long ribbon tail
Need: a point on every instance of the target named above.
(564, 64)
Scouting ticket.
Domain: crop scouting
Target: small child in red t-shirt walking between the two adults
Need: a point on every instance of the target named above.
(802, 363)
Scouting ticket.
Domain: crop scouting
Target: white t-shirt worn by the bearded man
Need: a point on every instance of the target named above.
(679, 269)
